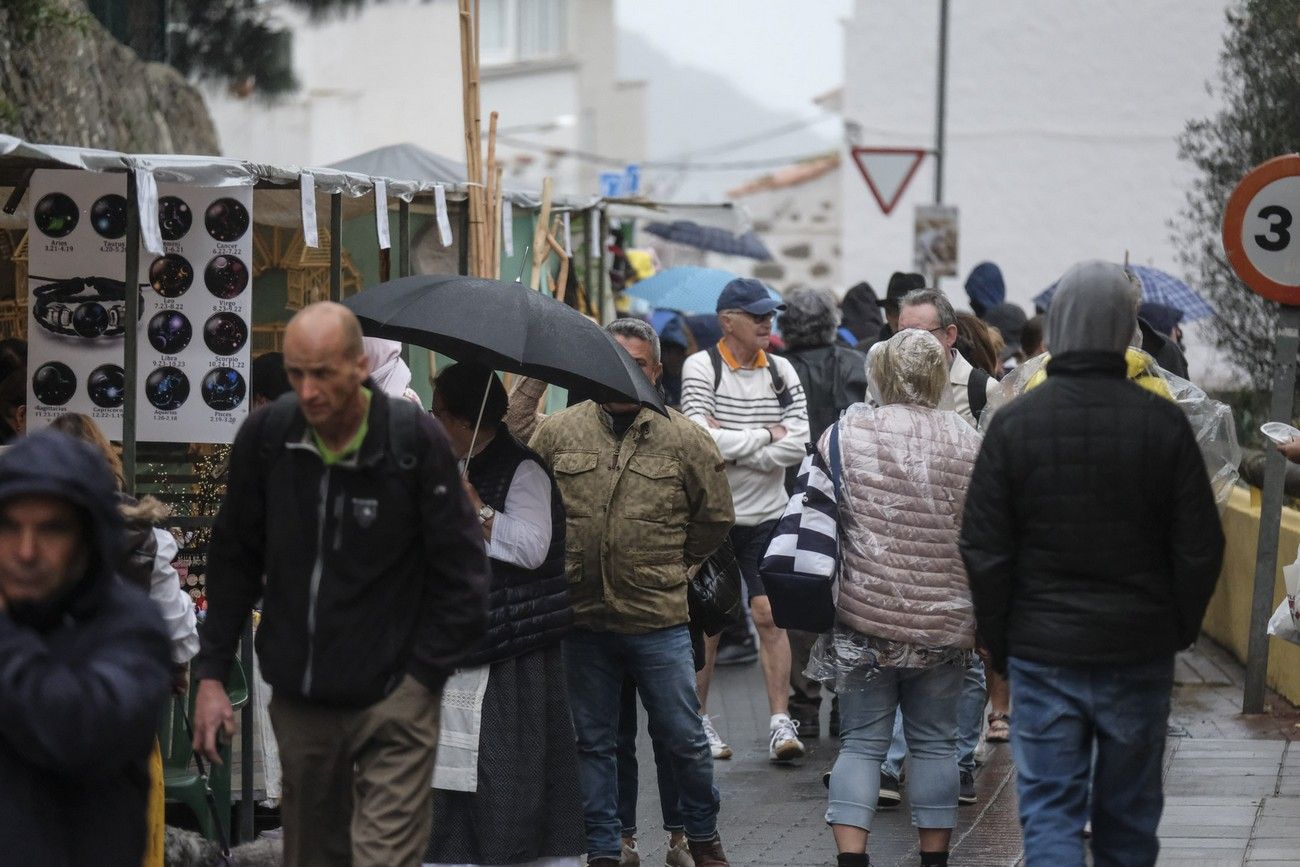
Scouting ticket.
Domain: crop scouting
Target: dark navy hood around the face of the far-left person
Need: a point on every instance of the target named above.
(51, 462)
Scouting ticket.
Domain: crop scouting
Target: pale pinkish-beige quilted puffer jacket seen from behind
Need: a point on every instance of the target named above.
(905, 475)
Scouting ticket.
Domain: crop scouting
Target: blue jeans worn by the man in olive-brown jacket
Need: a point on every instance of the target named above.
(662, 666)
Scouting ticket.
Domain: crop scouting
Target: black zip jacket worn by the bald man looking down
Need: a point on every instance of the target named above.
(375, 567)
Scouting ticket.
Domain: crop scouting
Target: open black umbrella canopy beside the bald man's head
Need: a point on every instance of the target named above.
(506, 327)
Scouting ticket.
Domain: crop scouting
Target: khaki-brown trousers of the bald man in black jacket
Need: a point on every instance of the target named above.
(358, 783)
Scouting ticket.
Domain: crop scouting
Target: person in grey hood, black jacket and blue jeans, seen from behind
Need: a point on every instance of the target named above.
(1093, 547)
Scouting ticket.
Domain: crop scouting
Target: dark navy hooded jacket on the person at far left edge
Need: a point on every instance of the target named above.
(83, 684)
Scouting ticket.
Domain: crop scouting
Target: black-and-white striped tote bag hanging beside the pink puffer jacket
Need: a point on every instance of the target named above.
(803, 561)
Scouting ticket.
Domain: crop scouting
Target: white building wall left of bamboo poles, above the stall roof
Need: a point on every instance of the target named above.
(387, 75)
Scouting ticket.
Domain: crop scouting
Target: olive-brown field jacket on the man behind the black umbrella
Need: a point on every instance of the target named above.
(640, 511)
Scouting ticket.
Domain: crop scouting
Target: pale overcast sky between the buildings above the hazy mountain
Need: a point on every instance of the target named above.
(781, 53)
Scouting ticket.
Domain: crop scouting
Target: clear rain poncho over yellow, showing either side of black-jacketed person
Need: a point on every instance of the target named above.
(1212, 421)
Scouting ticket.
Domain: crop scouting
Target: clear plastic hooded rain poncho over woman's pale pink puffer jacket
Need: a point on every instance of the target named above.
(903, 596)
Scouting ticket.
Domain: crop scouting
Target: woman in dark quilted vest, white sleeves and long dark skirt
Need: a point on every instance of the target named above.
(506, 786)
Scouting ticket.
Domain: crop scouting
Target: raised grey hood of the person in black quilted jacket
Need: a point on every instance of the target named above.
(1095, 309)
